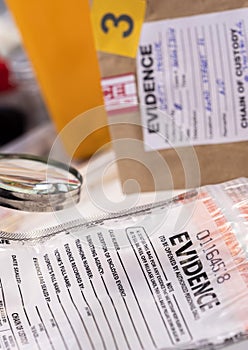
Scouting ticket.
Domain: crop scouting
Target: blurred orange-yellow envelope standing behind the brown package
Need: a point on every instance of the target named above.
(58, 38)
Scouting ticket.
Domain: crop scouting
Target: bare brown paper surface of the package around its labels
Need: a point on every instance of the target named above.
(177, 169)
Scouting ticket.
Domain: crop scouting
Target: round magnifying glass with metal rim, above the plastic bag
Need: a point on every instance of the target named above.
(31, 183)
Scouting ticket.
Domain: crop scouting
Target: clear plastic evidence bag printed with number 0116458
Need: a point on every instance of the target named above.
(170, 275)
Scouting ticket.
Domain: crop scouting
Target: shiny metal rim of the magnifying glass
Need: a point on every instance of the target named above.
(40, 202)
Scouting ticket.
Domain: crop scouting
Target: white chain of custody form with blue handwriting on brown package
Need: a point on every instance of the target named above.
(193, 80)
